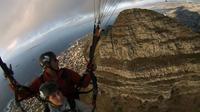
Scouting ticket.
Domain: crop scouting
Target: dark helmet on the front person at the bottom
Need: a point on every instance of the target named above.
(47, 89)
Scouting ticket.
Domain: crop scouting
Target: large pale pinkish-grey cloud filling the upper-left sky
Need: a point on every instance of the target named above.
(21, 17)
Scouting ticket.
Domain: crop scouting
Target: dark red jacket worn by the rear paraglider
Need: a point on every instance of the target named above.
(66, 79)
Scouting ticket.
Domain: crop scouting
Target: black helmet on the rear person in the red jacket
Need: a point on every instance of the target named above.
(46, 58)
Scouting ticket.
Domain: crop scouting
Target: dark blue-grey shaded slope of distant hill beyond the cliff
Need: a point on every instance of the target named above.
(188, 18)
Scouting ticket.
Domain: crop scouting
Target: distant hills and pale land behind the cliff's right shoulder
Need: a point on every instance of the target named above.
(186, 13)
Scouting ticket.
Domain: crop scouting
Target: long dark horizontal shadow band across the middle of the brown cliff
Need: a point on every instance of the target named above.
(149, 63)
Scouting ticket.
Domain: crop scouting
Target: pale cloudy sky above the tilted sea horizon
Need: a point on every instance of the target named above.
(21, 21)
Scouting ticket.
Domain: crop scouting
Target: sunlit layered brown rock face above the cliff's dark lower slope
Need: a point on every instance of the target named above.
(151, 52)
